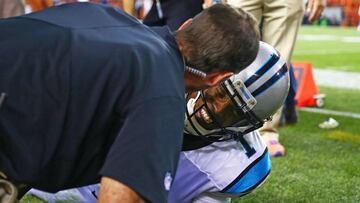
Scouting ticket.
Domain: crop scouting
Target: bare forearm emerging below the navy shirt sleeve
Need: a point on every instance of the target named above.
(113, 191)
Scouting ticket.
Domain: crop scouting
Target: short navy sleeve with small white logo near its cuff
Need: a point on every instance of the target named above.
(145, 152)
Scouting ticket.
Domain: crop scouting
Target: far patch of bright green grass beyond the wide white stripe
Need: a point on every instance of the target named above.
(335, 48)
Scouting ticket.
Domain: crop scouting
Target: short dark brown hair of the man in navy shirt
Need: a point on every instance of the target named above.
(220, 38)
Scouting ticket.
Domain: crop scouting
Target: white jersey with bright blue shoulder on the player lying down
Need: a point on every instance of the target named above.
(212, 174)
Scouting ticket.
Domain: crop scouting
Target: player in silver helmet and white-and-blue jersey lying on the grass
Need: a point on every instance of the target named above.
(223, 154)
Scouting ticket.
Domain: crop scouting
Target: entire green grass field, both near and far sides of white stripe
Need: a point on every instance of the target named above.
(320, 165)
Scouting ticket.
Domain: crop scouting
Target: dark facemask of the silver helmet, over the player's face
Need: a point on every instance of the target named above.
(240, 103)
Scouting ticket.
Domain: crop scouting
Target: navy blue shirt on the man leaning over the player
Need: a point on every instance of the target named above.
(90, 92)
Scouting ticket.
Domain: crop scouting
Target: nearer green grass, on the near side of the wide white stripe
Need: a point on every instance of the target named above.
(320, 165)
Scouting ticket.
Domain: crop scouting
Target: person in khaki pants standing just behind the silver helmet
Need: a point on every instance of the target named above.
(279, 21)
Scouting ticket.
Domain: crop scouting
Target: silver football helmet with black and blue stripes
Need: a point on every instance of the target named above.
(256, 93)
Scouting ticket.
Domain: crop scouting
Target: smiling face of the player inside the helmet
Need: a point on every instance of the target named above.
(220, 106)
